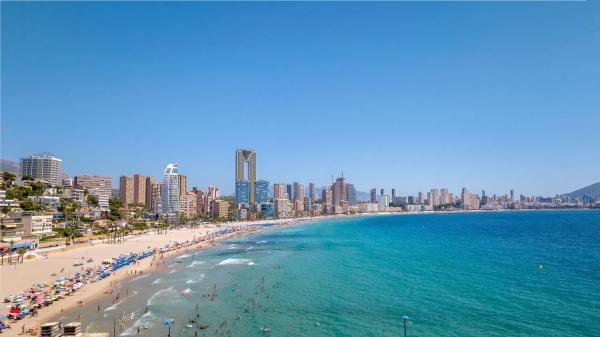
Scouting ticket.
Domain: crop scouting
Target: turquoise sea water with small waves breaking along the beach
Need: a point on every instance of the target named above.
(473, 274)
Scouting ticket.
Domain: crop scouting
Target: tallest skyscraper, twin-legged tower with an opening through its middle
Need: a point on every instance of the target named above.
(245, 171)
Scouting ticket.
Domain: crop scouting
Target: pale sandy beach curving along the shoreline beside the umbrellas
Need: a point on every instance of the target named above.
(47, 267)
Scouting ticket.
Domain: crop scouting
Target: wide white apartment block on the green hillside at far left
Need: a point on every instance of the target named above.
(43, 167)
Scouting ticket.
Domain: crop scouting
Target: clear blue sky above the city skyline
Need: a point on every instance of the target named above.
(405, 95)
